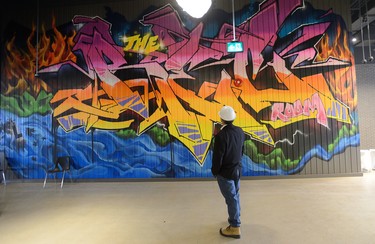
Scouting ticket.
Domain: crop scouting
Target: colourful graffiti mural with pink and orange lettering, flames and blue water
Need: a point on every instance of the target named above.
(144, 104)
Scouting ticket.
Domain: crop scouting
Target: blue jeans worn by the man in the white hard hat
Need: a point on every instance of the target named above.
(230, 190)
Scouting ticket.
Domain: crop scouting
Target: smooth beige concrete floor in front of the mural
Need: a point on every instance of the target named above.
(310, 210)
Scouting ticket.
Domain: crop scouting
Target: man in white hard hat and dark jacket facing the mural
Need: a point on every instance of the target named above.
(226, 167)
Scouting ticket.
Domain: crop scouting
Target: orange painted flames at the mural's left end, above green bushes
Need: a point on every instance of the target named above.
(20, 67)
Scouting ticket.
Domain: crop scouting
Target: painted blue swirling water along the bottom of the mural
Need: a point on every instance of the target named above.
(32, 153)
